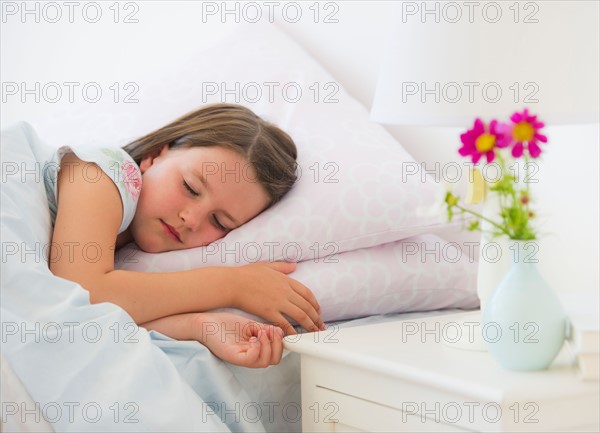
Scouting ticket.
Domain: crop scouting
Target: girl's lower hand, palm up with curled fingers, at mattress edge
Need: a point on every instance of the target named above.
(238, 340)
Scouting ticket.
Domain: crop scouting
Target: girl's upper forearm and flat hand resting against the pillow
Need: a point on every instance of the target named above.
(261, 288)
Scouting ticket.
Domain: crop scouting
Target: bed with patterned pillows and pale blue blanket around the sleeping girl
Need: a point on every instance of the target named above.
(90, 368)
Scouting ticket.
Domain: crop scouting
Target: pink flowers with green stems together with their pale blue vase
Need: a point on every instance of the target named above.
(523, 320)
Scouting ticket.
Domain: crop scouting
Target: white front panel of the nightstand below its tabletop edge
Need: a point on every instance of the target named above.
(334, 395)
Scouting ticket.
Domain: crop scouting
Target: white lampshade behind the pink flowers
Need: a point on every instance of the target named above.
(449, 62)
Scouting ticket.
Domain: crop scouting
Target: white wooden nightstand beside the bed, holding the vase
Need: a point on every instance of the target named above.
(399, 376)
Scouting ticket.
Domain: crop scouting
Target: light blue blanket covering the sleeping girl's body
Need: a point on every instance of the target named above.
(89, 367)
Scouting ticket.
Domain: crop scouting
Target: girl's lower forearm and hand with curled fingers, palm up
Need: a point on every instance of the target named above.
(232, 338)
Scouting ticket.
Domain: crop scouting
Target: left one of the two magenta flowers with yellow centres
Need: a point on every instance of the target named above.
(479, 141)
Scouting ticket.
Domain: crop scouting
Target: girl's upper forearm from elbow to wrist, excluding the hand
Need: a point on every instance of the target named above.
(147, 296)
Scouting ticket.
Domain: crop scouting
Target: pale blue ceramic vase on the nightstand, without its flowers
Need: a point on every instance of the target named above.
(524, 323)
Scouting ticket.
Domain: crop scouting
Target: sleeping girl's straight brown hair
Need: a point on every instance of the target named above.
(271, 152)
